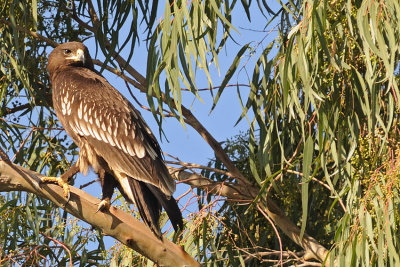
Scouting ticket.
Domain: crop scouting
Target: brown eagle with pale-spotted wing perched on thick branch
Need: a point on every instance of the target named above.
(112, 137)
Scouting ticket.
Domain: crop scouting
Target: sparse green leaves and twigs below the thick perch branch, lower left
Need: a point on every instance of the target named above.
(33, 230)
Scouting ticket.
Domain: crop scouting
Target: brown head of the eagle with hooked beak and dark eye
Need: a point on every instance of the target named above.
(69, 54)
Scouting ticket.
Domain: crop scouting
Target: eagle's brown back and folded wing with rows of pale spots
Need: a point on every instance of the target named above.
(97, 112)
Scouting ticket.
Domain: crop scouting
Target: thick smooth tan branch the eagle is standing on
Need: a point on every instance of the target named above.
(115, 222)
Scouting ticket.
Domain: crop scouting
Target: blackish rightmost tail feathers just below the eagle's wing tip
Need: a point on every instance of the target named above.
(170, 206)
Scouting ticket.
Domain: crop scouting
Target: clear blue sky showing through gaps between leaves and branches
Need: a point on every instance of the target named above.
(186, 143)
